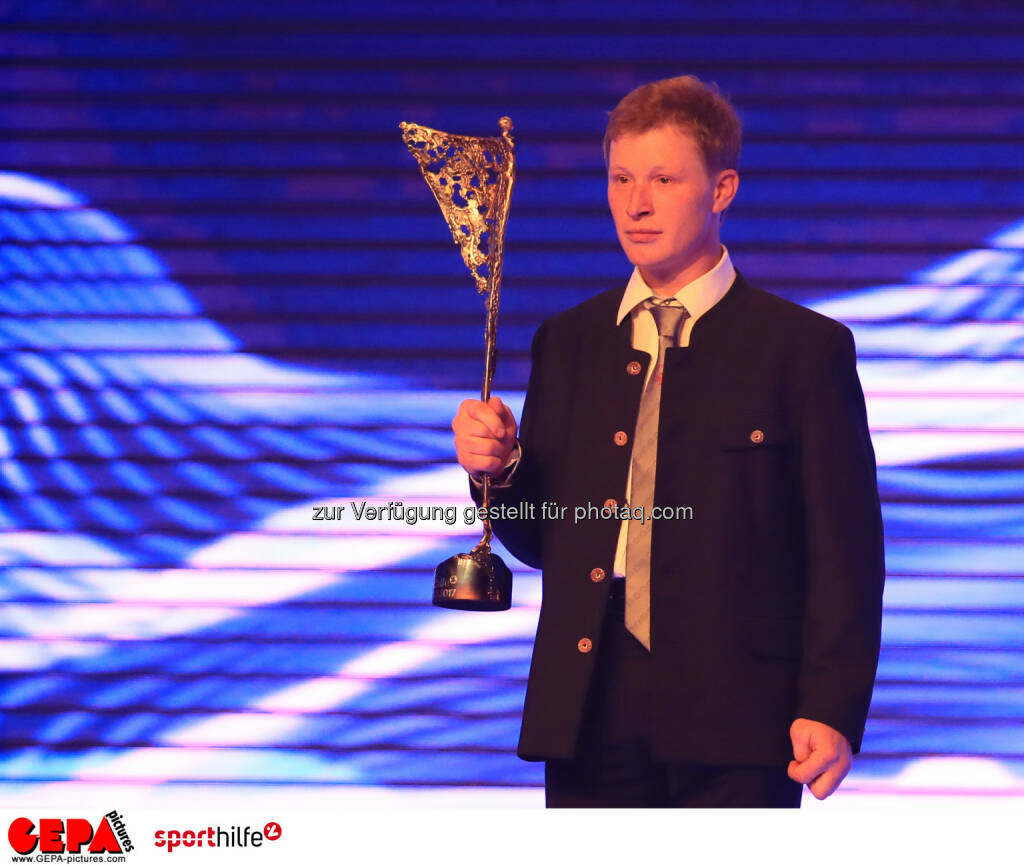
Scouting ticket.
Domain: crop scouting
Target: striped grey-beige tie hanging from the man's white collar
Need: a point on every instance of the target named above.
(669, 315)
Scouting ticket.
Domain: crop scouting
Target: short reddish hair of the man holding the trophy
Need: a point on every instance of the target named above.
(688, 103)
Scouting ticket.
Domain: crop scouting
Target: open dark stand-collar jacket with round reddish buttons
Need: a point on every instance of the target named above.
(766, 604)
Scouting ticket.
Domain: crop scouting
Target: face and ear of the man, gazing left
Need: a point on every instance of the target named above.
(665, 205)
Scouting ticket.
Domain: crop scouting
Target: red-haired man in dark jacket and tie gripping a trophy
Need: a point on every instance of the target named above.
(720, 649)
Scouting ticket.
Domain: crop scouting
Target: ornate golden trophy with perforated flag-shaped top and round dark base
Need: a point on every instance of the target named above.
(473, 181)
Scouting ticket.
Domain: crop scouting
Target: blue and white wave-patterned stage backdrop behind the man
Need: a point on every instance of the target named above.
(229, 298)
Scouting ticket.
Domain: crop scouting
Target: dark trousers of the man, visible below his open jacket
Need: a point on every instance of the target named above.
(614, 765)
